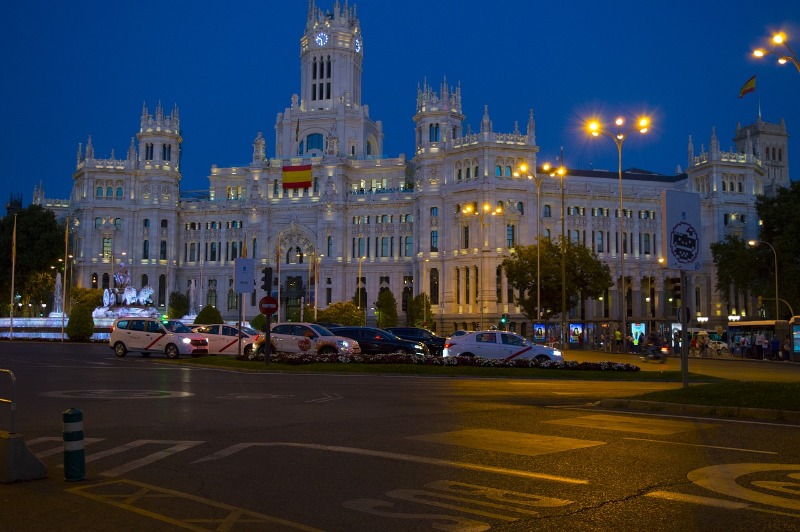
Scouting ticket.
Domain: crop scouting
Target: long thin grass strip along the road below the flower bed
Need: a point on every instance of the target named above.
(443, 371)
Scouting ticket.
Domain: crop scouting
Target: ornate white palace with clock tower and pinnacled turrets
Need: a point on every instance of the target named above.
(370, 222)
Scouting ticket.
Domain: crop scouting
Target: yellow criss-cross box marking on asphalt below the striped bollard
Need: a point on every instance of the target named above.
(155, 502)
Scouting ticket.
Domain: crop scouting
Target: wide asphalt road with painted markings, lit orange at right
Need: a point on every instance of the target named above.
(175, 448)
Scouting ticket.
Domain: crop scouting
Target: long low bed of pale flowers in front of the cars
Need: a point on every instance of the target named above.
(400, 358)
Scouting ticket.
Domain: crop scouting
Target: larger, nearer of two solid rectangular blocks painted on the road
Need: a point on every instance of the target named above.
(507, 442)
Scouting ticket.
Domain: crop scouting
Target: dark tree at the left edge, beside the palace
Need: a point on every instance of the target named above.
(40, 243)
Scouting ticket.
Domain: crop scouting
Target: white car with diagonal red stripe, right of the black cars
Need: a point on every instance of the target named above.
(498, 344)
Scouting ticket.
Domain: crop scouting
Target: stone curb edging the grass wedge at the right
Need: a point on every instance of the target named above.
(765, 414)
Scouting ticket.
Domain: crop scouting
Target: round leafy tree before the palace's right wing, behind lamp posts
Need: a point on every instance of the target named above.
(586, 276)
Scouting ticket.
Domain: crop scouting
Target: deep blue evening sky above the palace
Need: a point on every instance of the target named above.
(74, 69)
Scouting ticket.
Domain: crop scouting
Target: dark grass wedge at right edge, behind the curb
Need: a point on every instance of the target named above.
(772, 395)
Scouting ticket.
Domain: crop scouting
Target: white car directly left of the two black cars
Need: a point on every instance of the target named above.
(306, 338)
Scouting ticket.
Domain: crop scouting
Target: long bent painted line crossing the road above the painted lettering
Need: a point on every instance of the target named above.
(392, 456)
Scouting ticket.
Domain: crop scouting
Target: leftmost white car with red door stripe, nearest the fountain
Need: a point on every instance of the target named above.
(154, 335)
